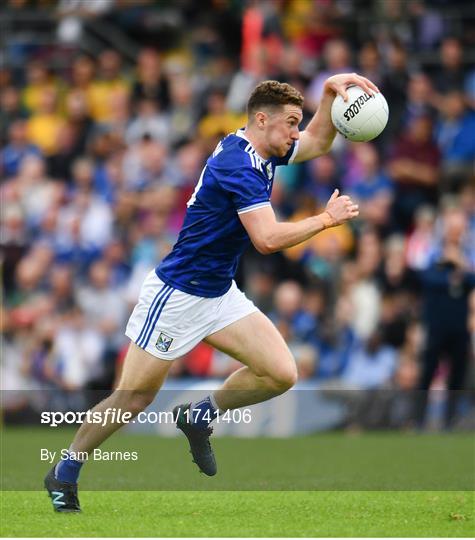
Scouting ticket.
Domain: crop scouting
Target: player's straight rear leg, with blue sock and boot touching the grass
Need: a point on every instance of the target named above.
(142, 376)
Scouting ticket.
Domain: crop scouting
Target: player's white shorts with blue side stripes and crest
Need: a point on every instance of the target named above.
(168, 323)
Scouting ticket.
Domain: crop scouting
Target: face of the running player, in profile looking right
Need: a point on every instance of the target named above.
(282, 129)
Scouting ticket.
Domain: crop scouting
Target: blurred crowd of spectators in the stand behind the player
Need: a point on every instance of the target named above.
(99, 158)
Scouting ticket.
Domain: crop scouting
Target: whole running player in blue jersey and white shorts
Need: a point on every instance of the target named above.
(191, 295)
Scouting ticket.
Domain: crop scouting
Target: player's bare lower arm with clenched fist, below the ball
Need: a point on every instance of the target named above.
(268, 235)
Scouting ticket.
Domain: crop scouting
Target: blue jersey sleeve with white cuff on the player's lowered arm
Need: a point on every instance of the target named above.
(248, 189)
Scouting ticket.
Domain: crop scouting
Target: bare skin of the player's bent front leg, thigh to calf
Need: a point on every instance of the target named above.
(269, 367)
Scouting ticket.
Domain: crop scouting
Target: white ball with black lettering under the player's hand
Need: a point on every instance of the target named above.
(362, 117)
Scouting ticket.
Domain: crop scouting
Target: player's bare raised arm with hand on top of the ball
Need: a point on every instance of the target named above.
(318, 136)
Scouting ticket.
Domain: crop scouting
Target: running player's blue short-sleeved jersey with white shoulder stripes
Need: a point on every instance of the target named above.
(234, 180)
